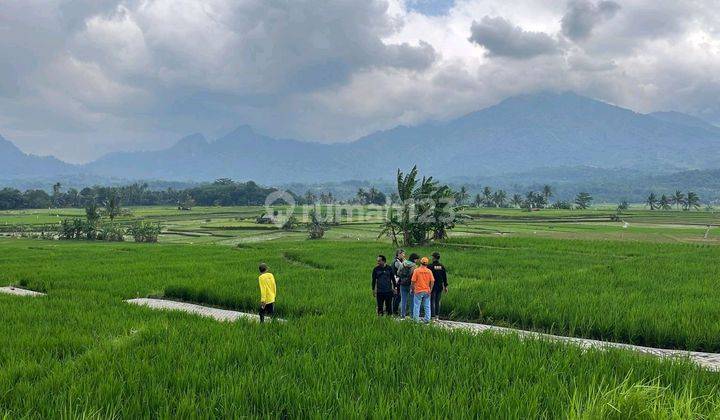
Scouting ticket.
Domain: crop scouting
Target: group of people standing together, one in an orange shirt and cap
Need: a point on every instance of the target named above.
(409, 285)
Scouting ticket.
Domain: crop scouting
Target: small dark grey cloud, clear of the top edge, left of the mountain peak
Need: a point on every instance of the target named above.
(501, 38)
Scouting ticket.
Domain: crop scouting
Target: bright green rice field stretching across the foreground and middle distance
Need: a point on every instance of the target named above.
(81, 351)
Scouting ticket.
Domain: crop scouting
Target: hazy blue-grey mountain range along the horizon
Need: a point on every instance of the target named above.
(521, 134)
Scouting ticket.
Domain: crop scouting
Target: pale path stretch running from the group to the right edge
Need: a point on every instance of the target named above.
(710, 361)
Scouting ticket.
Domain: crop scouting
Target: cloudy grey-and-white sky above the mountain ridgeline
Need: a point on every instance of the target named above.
(80, 78)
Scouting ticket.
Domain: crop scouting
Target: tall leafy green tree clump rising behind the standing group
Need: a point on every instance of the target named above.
(425, 210)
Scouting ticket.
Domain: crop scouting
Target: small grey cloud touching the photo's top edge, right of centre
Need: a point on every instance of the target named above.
(583, 15)
